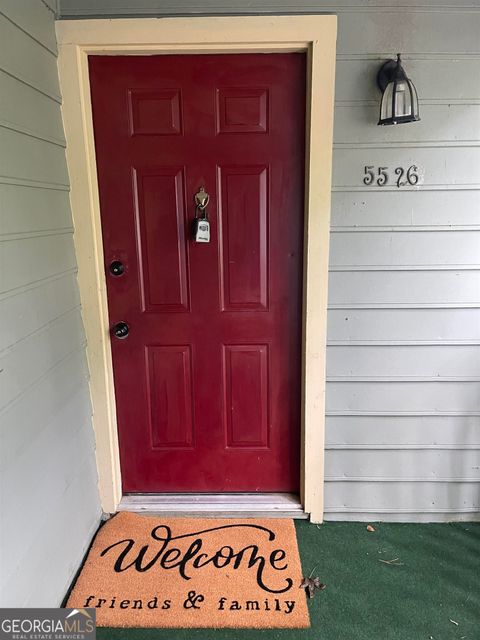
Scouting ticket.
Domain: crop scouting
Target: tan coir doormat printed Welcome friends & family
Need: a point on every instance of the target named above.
(189, 572)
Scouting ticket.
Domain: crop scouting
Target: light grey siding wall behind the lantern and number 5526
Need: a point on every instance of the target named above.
(403, 409)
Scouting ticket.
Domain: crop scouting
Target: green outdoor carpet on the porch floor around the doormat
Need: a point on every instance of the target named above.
(438, 582)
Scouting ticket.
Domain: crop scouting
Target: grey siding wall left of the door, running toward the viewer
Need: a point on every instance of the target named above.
(49, 501)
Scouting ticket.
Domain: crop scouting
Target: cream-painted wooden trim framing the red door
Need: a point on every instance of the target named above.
(313, 34)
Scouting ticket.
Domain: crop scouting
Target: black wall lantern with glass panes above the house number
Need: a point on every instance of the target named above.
(399, 100)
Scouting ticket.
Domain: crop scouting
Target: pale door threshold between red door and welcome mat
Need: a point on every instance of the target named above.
(238, 505)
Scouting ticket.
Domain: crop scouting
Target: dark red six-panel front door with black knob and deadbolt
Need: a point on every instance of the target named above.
(207, 381)
